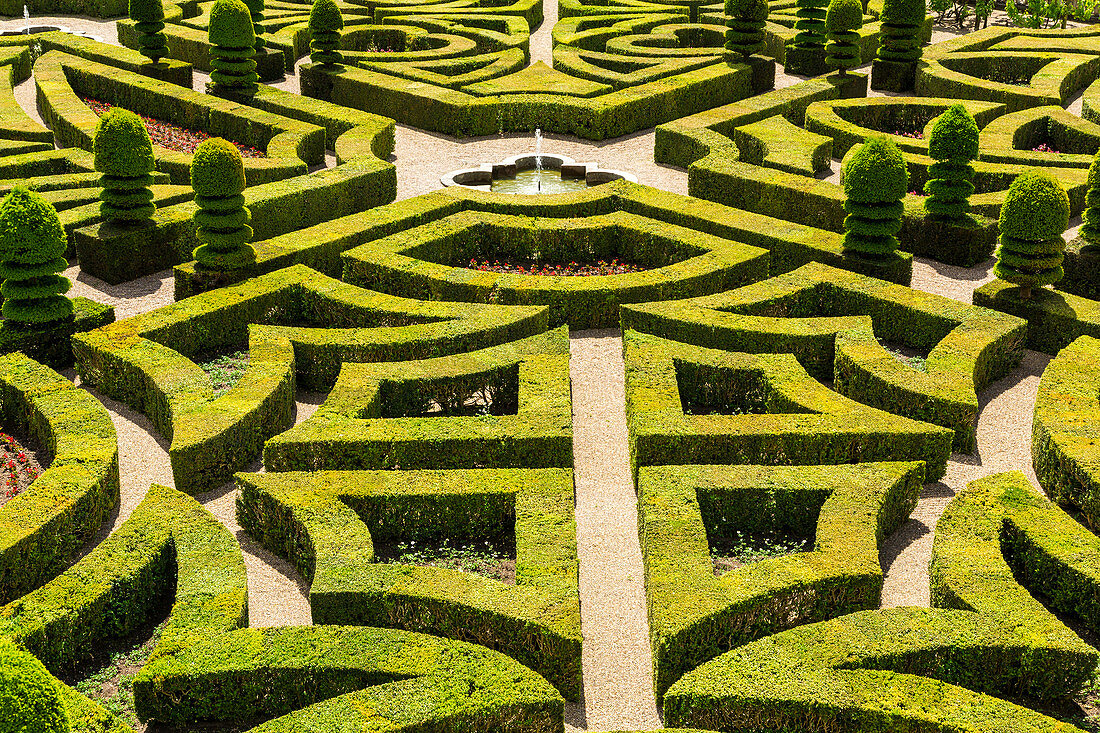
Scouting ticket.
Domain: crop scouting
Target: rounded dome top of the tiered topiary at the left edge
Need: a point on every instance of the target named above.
(30, 231)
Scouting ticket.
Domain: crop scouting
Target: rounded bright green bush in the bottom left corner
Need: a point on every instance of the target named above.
(30, 699)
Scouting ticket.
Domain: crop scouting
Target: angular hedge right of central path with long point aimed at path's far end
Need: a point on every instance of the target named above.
(831, 321)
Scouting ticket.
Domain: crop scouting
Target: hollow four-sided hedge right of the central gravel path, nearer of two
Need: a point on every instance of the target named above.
(695, 617)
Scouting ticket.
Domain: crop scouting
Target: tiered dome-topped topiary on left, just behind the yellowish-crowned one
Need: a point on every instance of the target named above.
(124, 154)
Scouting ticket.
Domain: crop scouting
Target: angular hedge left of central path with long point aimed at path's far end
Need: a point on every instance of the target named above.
(301, 326)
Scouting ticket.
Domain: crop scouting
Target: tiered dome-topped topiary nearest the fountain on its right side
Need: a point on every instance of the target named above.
(875, 182)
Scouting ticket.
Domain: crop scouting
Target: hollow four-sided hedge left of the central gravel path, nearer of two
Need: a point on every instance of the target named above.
(327, 523)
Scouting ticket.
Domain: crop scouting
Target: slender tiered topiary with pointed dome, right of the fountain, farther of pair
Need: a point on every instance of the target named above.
(953, 145)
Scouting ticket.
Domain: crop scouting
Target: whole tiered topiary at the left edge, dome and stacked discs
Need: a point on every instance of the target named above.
(32, 249)
